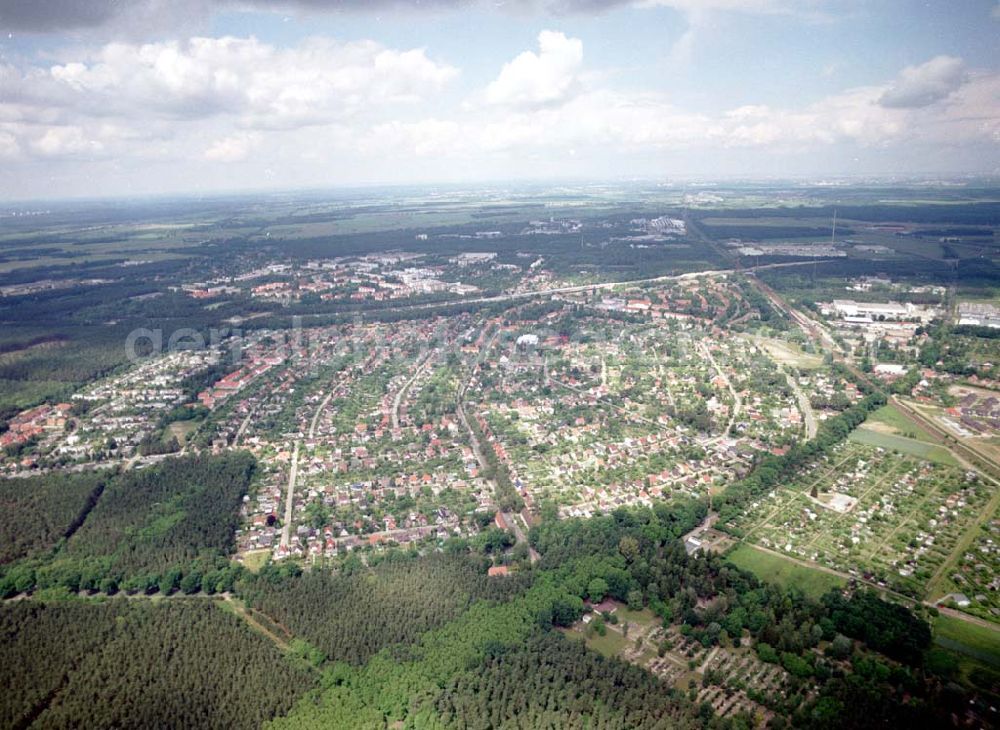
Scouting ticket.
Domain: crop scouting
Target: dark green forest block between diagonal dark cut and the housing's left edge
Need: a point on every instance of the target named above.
(165, 528)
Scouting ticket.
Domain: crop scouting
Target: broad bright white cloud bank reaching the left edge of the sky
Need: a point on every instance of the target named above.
(106, 99)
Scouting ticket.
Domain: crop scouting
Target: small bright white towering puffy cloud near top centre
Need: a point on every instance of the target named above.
(548, 77)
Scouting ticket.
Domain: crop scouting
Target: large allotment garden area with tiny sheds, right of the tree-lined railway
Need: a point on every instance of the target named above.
(889, 518)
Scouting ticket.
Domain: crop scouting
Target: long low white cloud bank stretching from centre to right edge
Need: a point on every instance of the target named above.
(638, 123)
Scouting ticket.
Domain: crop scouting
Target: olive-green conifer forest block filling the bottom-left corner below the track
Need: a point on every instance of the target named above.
(140, 664)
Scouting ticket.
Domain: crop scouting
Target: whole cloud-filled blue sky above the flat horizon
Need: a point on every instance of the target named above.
(157, 96)
